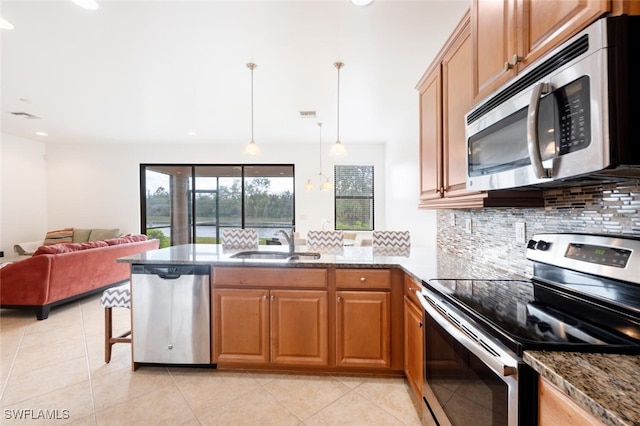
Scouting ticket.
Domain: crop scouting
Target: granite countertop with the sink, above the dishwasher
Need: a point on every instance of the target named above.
(417, 261)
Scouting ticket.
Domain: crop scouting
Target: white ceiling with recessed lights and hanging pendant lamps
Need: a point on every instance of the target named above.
(152, 71)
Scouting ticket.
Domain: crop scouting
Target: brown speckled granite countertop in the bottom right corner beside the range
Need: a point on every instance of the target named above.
(605, 385)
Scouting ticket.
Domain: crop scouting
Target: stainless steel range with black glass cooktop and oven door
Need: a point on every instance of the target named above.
(584, 296)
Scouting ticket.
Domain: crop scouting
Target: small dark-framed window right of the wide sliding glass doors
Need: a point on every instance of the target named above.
(354, 198)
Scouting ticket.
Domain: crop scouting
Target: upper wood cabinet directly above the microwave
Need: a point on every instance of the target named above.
(509, 34)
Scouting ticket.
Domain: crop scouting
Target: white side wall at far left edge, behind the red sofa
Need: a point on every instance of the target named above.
(23, 192)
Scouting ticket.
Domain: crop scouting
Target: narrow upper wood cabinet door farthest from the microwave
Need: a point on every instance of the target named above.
(431, 136)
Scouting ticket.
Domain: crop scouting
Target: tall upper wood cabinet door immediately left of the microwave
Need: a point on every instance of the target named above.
(457, 99)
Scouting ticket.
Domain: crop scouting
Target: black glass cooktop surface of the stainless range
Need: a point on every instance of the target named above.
(524, 314)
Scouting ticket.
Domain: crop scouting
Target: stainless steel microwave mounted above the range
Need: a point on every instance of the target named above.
(572, 115)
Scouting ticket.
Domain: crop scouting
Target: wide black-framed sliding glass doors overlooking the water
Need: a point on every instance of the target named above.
(183, 204)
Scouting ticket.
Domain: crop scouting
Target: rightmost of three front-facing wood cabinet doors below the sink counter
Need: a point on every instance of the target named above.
(363, 329)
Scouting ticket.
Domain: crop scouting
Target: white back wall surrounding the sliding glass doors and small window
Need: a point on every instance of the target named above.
(98, 185)
